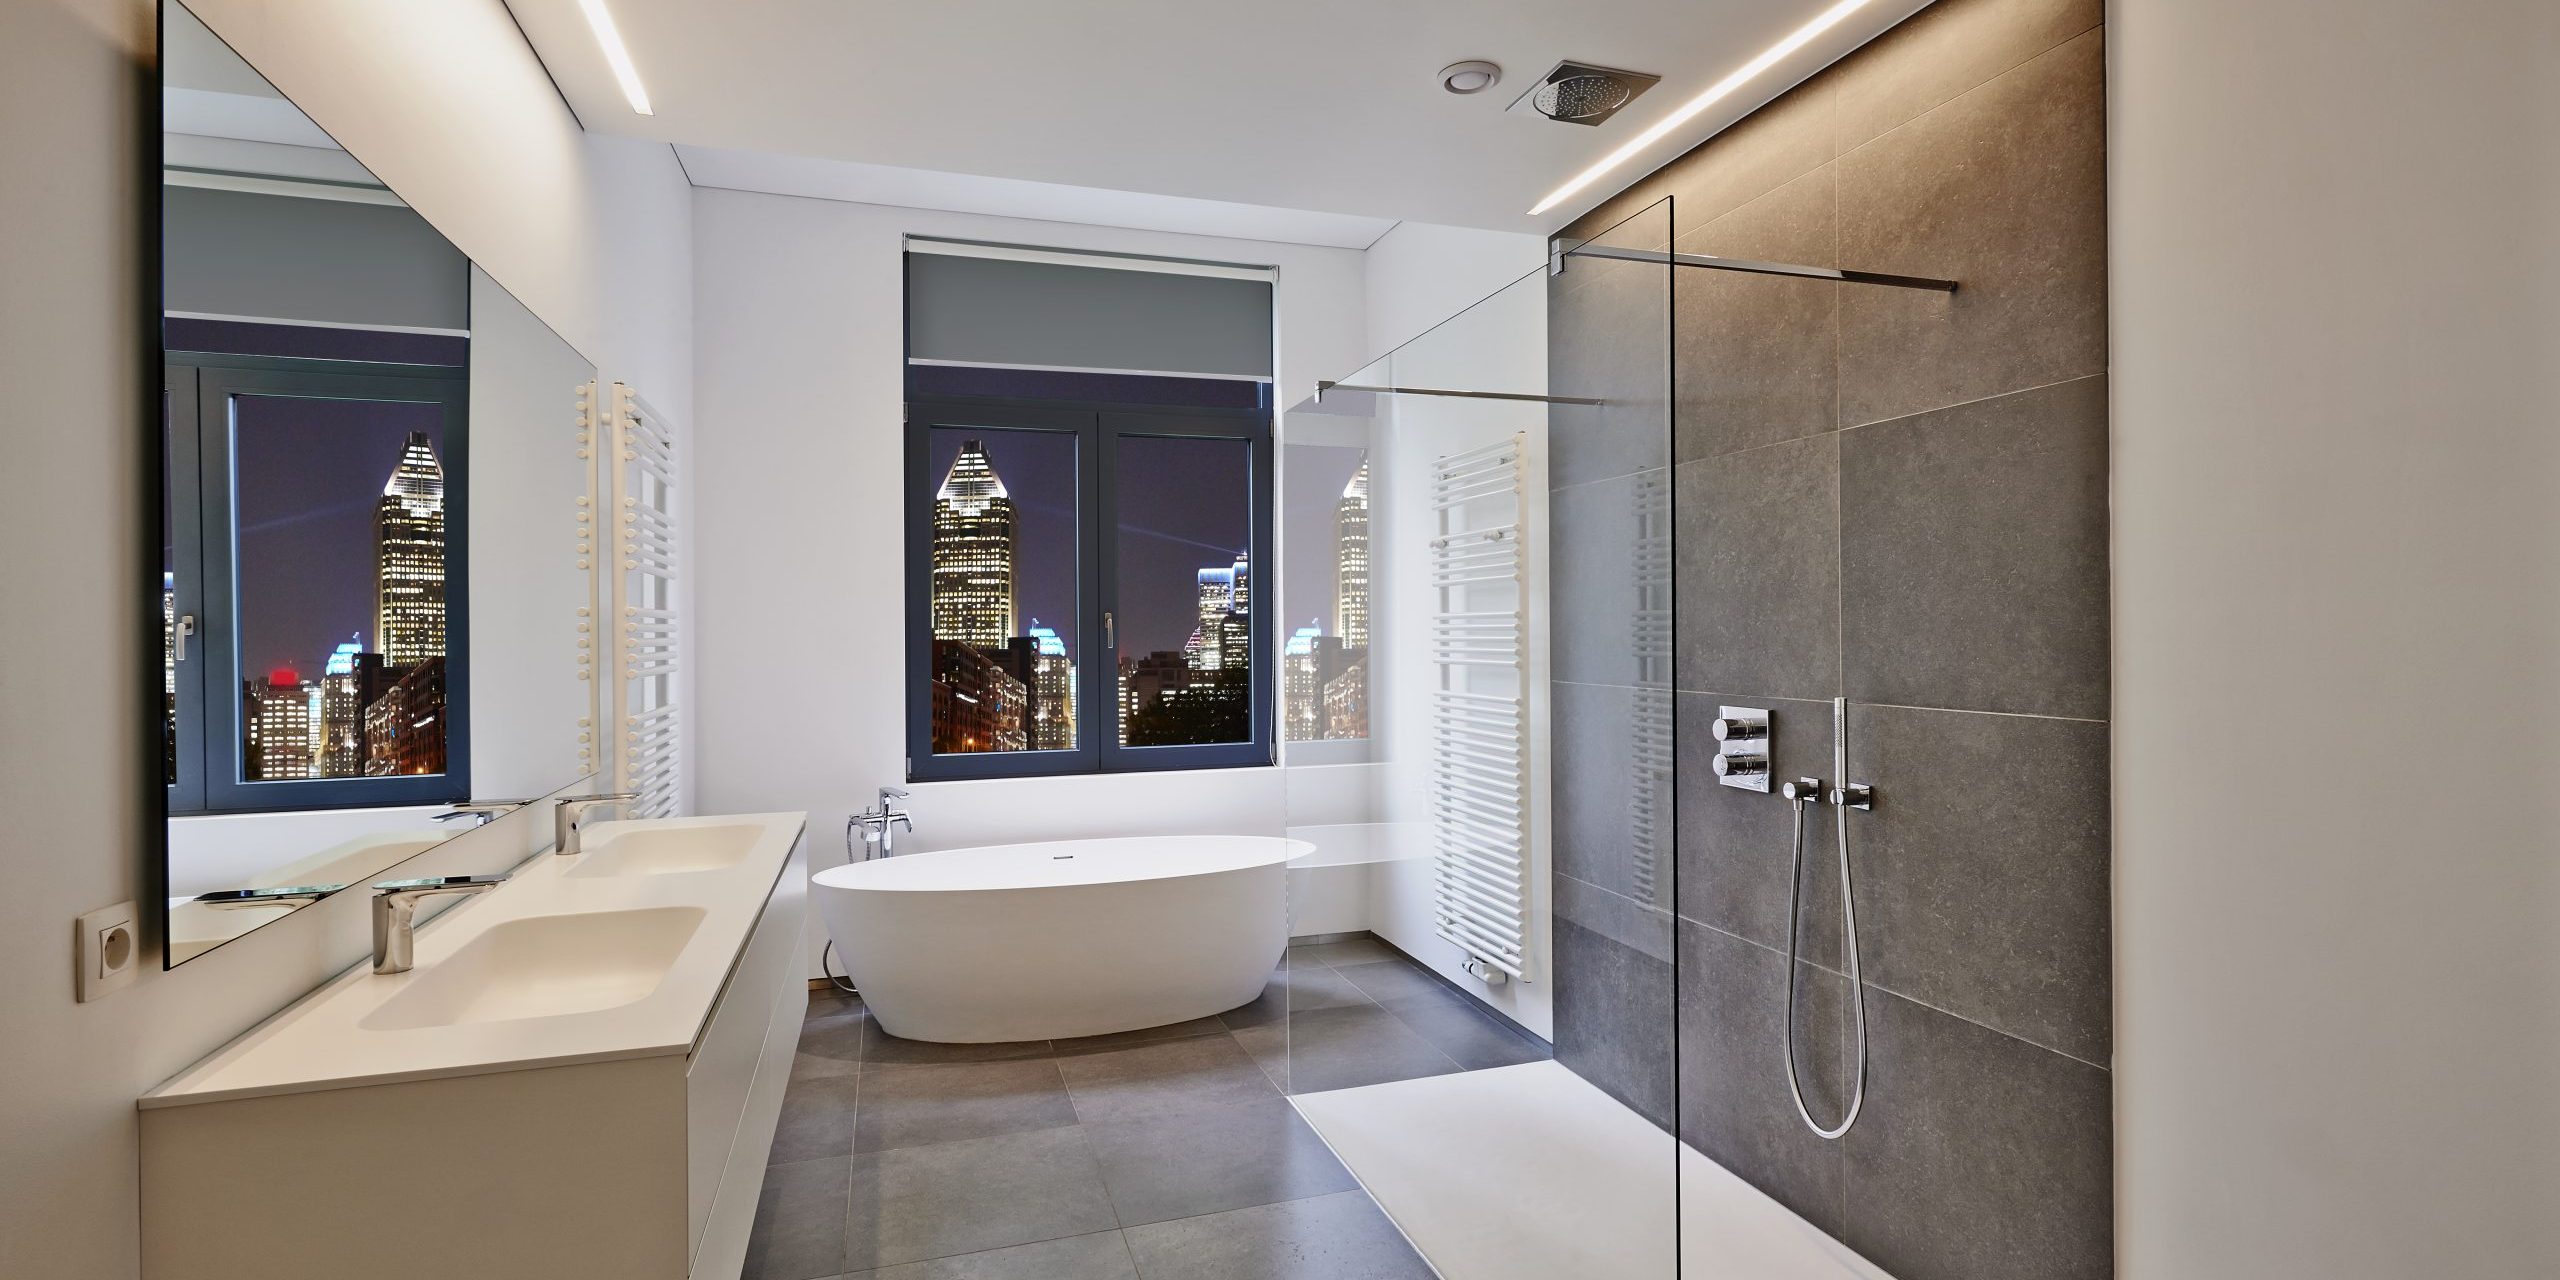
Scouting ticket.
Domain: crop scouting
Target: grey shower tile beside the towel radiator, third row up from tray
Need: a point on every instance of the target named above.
(1594, 577)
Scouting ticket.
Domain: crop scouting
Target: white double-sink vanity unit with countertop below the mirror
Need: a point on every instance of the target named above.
(393, 1128)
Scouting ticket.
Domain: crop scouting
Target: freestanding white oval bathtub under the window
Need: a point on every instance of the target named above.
(1061, 941)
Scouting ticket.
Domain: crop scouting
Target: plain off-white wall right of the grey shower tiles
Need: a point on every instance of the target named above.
(2336, 639)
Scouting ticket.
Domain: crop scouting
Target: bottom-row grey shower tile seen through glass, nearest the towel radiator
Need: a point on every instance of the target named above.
(1614, 1020)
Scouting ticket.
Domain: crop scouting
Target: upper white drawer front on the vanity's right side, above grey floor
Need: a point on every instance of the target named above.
(733, 1041)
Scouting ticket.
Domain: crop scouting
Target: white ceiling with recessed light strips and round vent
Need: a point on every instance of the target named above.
(1325, 106)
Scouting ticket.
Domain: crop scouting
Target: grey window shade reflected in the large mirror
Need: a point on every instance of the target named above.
(280, 257)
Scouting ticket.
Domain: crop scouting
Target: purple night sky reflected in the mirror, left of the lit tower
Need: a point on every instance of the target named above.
(308, 475)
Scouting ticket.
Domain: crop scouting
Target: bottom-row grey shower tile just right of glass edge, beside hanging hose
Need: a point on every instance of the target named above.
(1734, 1100)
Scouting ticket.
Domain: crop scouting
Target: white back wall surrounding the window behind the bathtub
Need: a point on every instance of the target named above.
(803, 511)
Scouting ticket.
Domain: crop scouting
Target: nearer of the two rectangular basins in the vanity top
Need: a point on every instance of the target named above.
(544, 966)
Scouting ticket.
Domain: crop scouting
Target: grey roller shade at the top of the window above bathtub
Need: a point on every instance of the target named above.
(1056, 316)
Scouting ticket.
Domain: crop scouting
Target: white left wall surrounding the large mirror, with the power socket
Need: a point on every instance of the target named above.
(439, 99)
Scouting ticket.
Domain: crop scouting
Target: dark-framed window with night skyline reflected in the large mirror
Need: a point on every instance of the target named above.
(314, 582)
